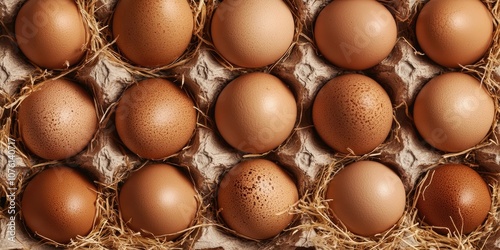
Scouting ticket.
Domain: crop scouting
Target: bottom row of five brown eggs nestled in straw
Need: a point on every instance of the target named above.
(255, 198)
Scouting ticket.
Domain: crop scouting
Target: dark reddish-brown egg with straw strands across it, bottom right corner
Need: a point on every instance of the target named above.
(453, 198)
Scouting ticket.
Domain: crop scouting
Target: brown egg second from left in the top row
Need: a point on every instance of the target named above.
(153, 33)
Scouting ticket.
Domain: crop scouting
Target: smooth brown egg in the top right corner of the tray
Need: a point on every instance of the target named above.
(454, 33)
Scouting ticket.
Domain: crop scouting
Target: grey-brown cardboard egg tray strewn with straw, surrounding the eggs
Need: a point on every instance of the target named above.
(203, 74)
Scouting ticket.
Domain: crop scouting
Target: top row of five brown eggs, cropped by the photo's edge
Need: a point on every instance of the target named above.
(354, 35)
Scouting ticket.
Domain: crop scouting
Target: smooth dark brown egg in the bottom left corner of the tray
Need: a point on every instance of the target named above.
(59, 203)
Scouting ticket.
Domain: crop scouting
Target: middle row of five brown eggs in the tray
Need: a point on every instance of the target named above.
(255, 113)
